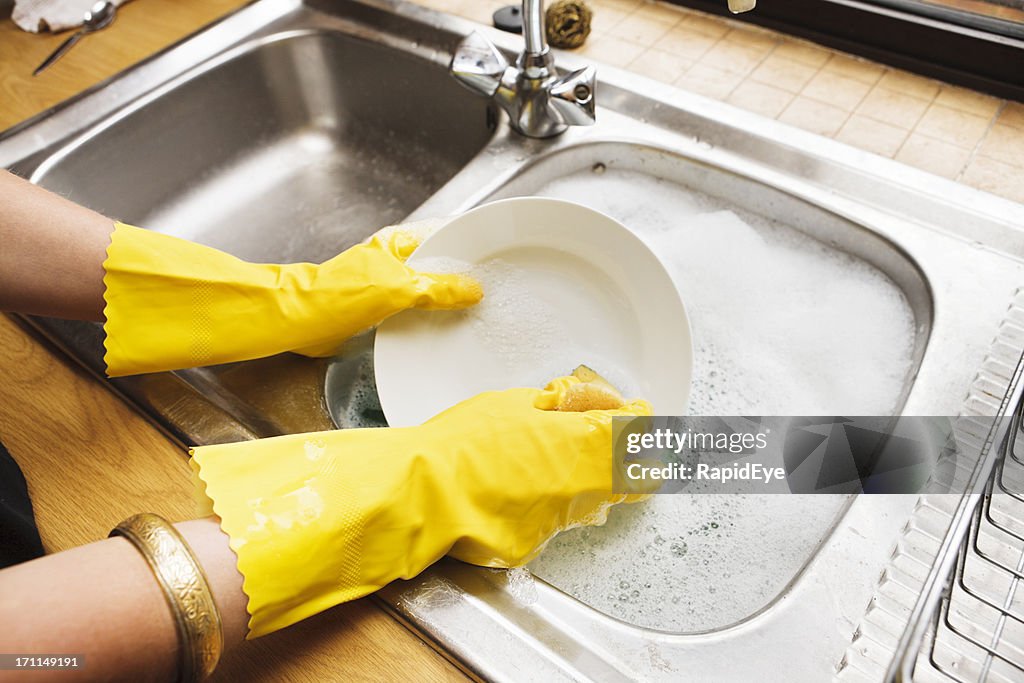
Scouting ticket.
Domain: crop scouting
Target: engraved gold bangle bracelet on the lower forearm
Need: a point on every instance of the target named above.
(197, 620)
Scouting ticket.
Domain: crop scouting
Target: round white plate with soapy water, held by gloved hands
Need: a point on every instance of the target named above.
(564, 285)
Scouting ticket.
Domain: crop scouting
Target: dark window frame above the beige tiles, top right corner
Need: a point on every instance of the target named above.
(932, 41)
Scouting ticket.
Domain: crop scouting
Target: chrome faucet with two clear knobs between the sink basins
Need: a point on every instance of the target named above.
(540, 104)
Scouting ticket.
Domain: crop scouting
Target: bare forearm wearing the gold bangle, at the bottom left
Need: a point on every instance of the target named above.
(102, 601)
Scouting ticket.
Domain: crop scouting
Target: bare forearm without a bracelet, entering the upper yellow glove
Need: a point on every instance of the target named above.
(52, 262)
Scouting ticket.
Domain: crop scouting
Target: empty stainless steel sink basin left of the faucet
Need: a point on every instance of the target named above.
(288, 149)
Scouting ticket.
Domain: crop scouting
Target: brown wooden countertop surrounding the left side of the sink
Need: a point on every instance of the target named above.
(90, 459)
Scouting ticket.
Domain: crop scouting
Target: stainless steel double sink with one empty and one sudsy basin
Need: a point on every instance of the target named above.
(291, 131)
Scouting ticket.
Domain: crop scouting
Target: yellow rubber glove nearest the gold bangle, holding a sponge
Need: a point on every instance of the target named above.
(320, 520)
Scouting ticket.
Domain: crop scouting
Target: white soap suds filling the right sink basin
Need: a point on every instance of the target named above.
(783, 325)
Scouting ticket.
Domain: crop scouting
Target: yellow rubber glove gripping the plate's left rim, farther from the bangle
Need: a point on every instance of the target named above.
(173, 304)
